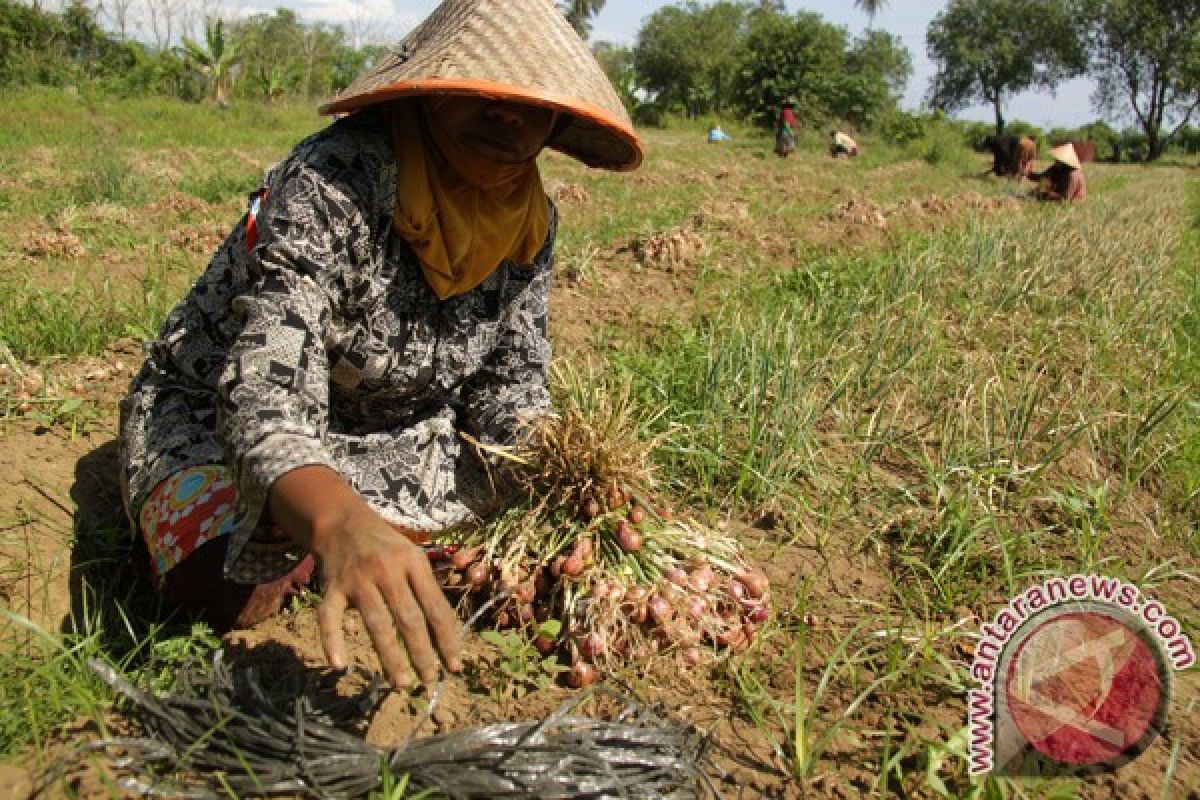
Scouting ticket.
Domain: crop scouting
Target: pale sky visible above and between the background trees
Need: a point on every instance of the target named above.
(621, 21)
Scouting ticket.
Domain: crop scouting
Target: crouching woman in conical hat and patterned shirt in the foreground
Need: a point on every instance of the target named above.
(387, 290)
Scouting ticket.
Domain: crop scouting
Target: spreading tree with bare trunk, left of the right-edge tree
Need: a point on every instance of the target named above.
(987, 51)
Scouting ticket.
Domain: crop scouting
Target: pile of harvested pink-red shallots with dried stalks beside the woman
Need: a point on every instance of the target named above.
(595, 552)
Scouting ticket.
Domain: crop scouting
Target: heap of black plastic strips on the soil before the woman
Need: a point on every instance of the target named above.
(223, 735)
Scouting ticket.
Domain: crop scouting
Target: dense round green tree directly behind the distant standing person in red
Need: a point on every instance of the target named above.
(802, 57)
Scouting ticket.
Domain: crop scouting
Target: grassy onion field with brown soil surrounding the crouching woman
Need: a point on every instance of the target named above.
(817, 422)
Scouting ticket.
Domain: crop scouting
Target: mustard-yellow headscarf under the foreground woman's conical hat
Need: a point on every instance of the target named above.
(460, 213)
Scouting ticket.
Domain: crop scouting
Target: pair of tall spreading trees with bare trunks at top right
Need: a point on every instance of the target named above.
(1143, 56)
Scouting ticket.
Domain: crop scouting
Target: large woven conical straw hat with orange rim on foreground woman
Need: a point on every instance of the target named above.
(521, 51)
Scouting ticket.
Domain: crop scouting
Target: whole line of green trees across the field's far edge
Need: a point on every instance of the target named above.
(734, 58)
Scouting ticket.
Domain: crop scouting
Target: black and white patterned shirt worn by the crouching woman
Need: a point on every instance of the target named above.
(323, 345)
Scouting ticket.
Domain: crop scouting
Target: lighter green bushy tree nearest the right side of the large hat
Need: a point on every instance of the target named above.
(687, 55)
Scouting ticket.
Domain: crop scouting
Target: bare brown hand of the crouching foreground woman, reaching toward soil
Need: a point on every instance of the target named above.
(370, 567)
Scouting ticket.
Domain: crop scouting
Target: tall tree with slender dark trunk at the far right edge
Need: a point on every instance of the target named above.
(1147, 64)
